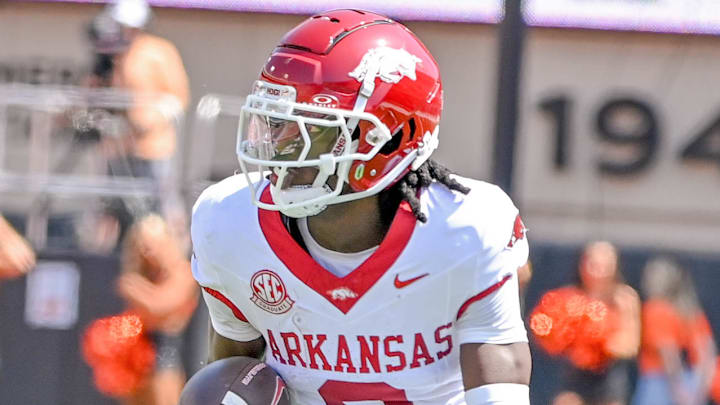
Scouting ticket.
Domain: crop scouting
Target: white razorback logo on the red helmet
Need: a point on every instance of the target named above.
(389, 64)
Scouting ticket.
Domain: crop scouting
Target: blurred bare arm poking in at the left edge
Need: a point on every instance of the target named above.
(16, 255)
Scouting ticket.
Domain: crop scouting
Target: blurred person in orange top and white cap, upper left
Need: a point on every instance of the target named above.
(129, 58)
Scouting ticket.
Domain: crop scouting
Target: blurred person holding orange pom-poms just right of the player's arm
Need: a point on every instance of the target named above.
(595, 326)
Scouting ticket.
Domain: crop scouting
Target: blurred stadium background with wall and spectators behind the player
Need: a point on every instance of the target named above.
(601, 118)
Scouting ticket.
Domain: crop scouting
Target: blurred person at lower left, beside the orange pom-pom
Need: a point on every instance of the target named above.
(157, 285)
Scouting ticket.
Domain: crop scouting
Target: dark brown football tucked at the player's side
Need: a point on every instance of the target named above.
(235, 381)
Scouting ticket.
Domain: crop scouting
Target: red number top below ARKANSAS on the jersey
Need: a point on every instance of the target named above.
(339, 392)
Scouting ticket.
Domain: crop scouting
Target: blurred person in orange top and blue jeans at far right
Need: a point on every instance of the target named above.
(677, 357)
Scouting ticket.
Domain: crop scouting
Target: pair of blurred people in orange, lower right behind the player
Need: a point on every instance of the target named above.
(603, 333)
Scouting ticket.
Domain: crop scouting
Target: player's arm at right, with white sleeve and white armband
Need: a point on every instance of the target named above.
(494, 354)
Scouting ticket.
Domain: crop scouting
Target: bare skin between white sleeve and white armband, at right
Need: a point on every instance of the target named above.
(484, 363)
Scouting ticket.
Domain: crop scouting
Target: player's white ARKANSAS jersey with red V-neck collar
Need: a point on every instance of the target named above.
(390, 331)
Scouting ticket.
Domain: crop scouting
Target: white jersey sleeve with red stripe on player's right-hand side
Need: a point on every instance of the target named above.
(492, 313)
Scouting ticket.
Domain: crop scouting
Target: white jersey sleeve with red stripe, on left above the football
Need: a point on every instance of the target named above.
(226, 318)
